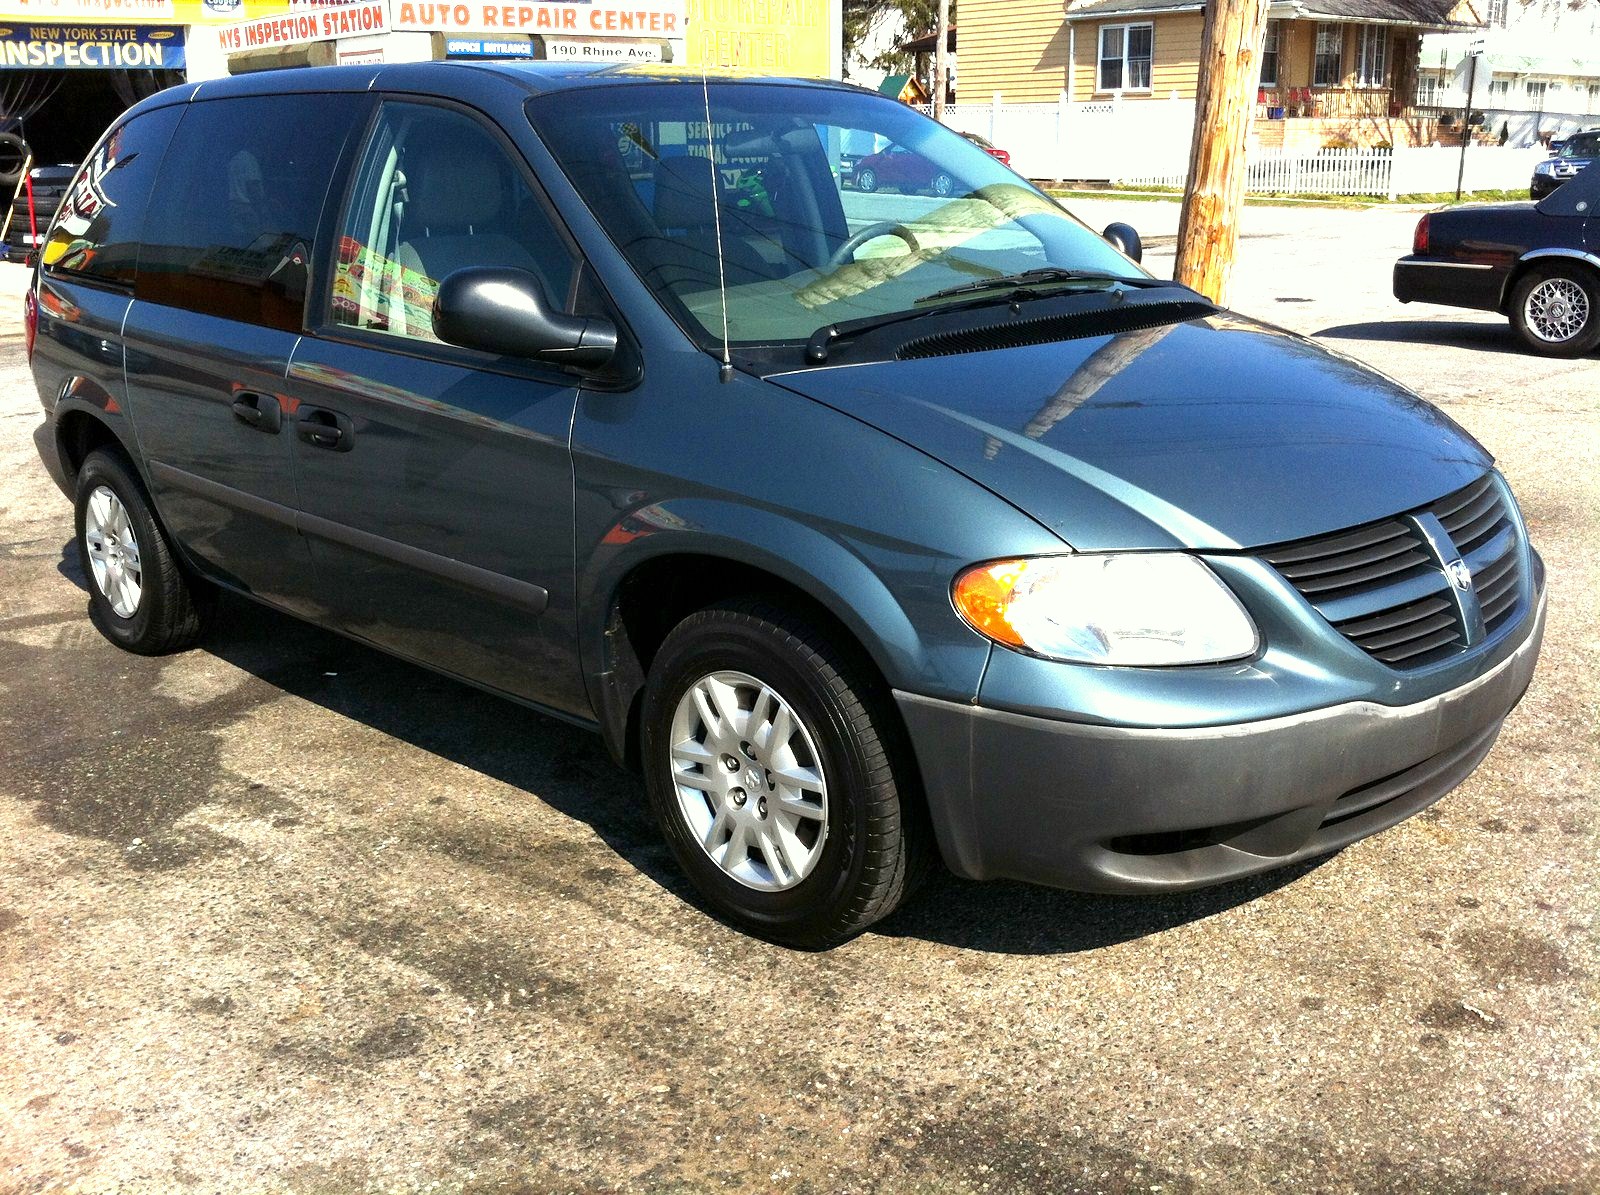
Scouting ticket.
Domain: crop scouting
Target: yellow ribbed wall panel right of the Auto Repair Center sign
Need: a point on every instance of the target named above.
(775, 38)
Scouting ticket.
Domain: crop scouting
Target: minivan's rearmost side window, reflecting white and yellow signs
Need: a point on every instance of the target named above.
(97, 231)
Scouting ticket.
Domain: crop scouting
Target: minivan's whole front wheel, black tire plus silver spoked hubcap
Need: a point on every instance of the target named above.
(774, 769)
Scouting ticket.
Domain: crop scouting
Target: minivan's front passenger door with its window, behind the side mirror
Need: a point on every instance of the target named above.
(436, 482)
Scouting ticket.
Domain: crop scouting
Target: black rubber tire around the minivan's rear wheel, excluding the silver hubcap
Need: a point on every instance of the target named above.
(172, 607)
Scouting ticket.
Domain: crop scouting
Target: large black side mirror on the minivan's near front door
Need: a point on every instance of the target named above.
(506, 313)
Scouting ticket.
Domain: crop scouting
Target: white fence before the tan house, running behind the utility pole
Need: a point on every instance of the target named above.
(1146, 145)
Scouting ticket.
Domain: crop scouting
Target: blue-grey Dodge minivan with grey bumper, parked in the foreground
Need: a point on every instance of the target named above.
(873, 529)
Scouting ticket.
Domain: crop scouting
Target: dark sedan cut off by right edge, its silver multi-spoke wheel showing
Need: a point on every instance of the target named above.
(1535, 263)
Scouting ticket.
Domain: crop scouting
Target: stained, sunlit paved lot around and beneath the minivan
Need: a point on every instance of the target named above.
(282, 914)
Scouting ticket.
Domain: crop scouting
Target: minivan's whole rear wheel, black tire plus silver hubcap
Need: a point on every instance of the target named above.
(140, 597)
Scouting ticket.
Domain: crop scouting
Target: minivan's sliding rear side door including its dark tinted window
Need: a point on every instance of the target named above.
(218, 306)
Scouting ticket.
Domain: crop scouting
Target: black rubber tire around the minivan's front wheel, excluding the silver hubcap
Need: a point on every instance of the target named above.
(876, 845)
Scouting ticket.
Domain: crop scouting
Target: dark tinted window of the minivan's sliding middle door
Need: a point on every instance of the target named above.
(238, 206)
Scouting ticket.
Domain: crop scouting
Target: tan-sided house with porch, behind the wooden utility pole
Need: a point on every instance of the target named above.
(1346, 66)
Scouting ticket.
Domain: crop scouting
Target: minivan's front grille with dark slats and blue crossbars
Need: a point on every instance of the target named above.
(1385, 588)
